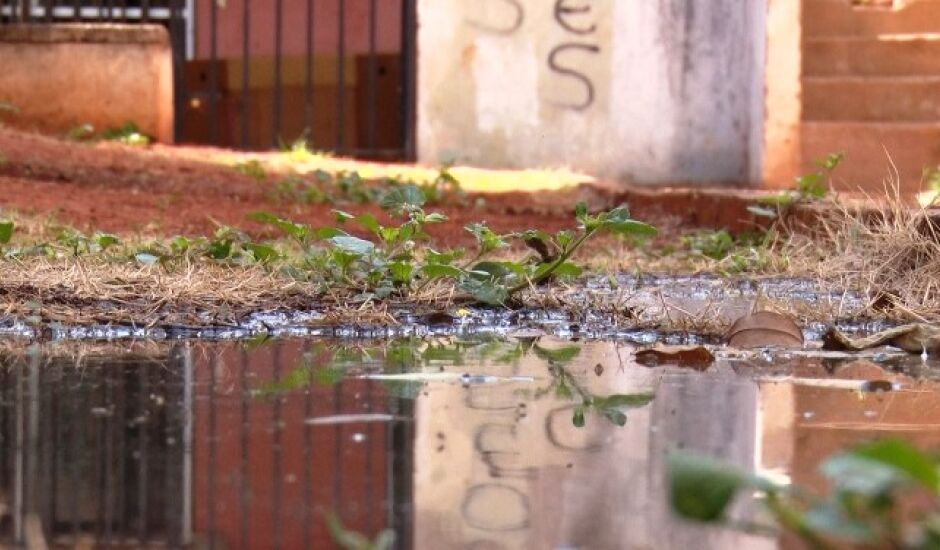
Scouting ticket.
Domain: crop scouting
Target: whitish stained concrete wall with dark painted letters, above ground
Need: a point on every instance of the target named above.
(658, 91)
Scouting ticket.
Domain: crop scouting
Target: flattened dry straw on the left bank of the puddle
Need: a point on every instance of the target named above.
(89, 290)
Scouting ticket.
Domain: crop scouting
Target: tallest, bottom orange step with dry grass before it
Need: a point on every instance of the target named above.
(871, 149)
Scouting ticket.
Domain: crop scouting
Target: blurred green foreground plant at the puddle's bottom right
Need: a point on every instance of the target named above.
(864, 507)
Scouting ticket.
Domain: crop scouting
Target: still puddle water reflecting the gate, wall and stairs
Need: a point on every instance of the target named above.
(443, 443)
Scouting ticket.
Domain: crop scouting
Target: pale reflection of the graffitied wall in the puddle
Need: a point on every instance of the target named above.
(496, 469)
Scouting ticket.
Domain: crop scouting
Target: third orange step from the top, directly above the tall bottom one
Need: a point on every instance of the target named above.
(887, 99)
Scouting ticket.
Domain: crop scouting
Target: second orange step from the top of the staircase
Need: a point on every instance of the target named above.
(885, 55)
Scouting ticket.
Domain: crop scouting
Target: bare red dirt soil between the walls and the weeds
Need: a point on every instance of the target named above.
(162, 190)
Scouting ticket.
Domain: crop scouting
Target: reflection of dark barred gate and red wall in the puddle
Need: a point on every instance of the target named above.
(195, 445)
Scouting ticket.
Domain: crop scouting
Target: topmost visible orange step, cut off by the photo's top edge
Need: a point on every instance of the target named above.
(828, 18)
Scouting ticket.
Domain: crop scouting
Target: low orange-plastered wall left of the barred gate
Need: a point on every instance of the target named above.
(61, 76)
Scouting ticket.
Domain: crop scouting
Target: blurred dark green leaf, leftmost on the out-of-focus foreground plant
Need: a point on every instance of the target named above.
(701, 488)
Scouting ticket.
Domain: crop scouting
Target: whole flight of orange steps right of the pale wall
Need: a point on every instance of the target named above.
(871, 82)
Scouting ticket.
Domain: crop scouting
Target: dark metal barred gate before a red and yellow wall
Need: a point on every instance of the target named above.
(338, 74)
